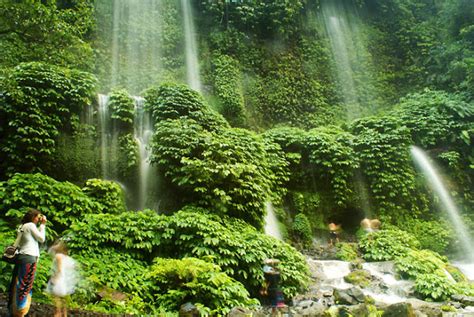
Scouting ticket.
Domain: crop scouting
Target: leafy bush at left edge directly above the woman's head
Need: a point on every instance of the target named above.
(62, 202)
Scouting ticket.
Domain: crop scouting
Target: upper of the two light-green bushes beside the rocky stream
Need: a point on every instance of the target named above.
(386, 245)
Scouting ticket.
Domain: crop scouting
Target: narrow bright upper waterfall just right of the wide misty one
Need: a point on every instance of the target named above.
(192, 65)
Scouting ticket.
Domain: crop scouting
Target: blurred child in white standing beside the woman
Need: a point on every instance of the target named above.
(64, 278)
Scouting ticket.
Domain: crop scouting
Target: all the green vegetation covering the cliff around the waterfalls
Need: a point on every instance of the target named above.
(270, 125)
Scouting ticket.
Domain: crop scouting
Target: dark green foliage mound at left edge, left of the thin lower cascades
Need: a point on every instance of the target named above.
(37, 101)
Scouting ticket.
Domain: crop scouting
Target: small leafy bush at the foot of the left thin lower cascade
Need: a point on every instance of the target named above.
(107, 193)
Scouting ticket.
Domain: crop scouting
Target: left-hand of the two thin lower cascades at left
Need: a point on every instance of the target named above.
(104, 122)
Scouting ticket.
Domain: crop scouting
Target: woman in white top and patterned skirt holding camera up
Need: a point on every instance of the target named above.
(21, 286)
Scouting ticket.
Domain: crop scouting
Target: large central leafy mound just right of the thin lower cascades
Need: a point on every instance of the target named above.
(230, 171)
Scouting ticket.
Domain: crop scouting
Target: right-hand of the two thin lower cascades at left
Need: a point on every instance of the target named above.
(143, 132)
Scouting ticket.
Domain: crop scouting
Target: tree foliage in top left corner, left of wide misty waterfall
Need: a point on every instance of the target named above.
(46, 31)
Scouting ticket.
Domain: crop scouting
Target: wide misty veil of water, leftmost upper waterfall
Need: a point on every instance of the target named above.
(134, 39)
